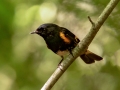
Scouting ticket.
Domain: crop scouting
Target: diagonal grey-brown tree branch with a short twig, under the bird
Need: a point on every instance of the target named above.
(82, 45)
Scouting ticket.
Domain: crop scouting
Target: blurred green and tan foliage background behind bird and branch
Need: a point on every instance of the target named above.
(25, 61)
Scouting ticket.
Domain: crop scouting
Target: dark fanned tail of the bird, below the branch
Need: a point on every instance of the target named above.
(89, 57)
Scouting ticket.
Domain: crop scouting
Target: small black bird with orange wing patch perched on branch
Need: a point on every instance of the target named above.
(61, 41)
